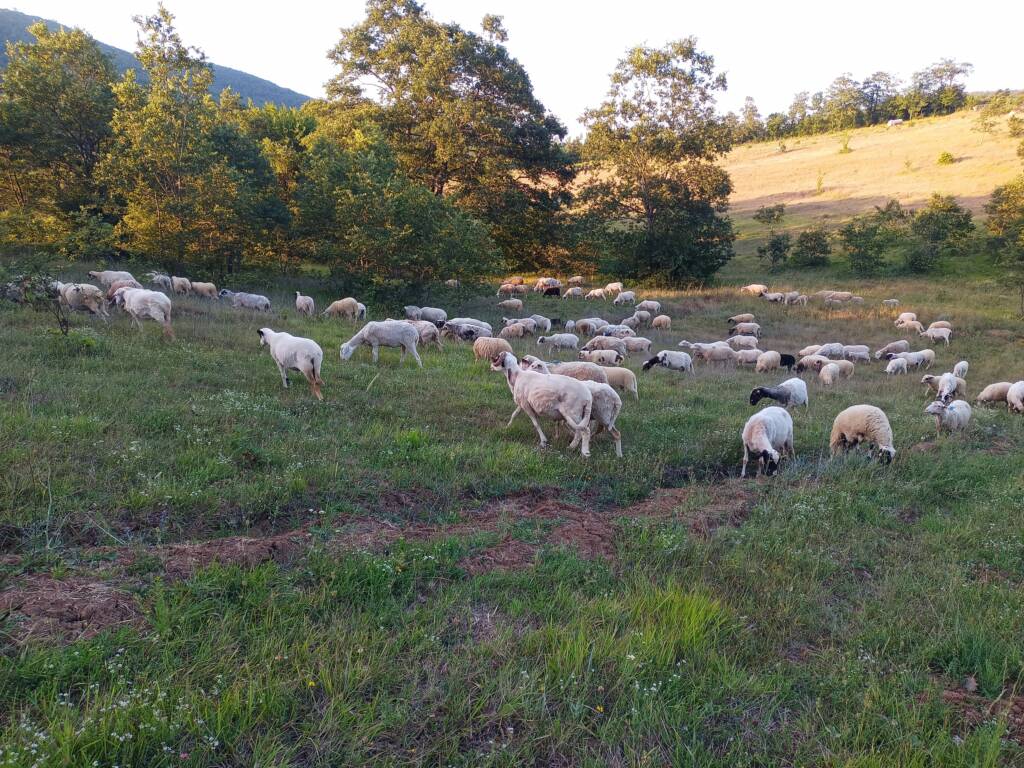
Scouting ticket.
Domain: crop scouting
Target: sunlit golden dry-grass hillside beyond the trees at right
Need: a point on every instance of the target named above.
(884, 163)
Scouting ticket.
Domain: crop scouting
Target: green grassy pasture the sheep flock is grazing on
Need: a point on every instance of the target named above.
(201, 569)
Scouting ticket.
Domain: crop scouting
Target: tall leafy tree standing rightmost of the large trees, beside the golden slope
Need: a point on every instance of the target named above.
(654, 182)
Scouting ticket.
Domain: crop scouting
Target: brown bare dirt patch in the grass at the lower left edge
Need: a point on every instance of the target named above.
(74, 609)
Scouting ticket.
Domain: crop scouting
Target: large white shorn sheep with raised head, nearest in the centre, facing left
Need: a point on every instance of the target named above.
(551, 396)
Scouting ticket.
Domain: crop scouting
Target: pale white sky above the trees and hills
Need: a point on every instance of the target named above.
(770, 51)
